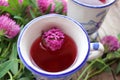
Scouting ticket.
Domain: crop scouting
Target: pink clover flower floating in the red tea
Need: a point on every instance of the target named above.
(53, 39)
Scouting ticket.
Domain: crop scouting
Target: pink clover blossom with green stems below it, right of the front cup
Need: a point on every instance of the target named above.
(105, 62)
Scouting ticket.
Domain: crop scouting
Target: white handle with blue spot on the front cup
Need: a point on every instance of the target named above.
(96, 50)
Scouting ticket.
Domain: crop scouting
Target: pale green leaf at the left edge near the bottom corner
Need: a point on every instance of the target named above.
(4, 67)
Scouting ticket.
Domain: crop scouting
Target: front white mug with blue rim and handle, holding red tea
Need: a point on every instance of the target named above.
(85, 50)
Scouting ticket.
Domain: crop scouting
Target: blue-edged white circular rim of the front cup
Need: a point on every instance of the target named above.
(52, 75)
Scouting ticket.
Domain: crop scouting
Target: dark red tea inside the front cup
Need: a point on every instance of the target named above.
(54, 61)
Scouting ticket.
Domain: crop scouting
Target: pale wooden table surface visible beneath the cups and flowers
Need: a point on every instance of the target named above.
(110, 26)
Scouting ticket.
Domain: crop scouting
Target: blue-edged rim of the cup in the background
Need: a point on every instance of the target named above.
(94, 6)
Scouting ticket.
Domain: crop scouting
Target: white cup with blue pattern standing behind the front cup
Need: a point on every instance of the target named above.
(90, 16)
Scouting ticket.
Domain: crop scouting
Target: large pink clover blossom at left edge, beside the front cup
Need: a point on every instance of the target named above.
(9, 27)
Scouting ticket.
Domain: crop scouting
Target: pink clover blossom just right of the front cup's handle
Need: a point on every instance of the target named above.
(110, 43)
